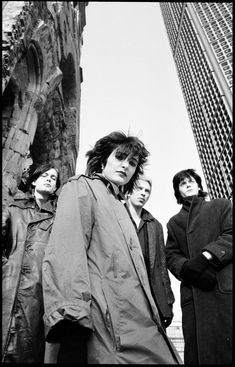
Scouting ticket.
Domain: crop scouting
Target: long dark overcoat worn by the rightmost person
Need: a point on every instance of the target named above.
(207, 315)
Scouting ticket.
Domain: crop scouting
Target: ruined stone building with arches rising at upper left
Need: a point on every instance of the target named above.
(41, 46)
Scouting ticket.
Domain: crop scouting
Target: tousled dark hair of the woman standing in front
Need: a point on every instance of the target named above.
(128, 145)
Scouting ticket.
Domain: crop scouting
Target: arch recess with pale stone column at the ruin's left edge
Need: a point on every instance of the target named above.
(20, 118)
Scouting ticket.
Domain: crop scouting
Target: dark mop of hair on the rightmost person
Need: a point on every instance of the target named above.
(180, 176)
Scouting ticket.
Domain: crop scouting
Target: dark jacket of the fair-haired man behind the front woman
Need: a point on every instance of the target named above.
(158, 274)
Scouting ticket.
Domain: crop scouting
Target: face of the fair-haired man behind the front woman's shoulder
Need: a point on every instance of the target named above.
(140, 194)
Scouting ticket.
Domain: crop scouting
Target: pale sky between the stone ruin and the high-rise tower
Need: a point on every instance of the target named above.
(130, 83)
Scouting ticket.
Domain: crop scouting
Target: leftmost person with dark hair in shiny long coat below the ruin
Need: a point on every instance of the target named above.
(27, 224)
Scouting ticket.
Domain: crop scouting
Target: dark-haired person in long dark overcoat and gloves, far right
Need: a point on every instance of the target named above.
(199, 254)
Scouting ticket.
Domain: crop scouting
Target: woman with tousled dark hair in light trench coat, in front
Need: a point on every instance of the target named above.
(98, 302)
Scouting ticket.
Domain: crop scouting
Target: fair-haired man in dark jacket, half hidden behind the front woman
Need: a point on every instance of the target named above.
(150, 234)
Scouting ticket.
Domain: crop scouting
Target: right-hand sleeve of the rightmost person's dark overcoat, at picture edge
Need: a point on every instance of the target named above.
(221, 247)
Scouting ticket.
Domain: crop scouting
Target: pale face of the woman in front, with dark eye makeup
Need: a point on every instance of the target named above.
(120, 168)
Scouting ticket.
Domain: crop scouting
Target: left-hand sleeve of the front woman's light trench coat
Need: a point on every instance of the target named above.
(66, 285)
